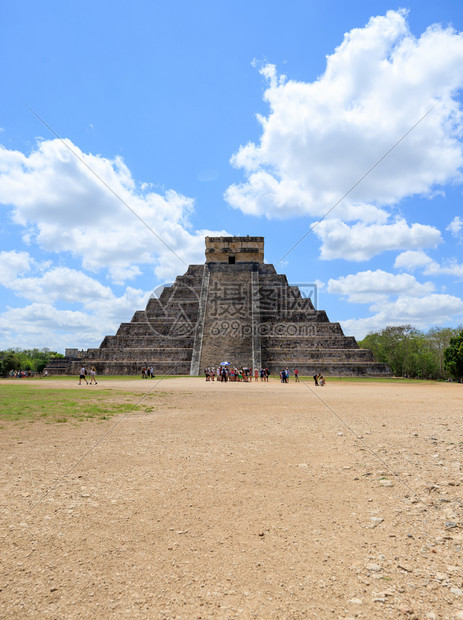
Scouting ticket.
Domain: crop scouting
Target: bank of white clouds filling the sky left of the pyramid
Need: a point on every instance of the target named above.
(63, 207)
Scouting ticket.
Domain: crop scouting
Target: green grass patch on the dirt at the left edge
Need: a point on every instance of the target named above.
(20, 402)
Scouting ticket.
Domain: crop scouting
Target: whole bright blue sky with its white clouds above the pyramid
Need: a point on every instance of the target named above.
(235, 118)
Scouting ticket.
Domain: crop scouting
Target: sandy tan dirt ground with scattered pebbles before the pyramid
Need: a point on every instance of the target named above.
(239, 501)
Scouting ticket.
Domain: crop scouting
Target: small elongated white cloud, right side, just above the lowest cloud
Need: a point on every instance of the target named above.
(374, 286)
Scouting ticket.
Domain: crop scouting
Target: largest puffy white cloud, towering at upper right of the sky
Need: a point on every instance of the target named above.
(319, 138)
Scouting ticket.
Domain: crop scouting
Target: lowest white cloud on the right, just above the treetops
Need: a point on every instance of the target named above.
(422, 312)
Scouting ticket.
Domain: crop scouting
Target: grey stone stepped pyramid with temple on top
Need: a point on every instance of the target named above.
(233, 308)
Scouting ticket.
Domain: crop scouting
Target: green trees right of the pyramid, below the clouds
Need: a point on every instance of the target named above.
(409, 352)
